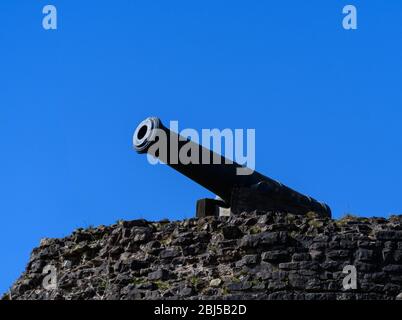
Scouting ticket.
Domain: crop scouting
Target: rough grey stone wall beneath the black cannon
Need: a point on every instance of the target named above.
(258, 255)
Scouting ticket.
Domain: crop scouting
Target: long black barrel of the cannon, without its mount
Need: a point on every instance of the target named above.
(213, 171)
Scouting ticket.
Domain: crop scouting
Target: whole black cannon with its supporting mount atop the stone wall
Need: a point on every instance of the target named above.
(236, 193)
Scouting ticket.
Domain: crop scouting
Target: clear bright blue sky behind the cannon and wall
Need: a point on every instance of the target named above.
(326, 105)
